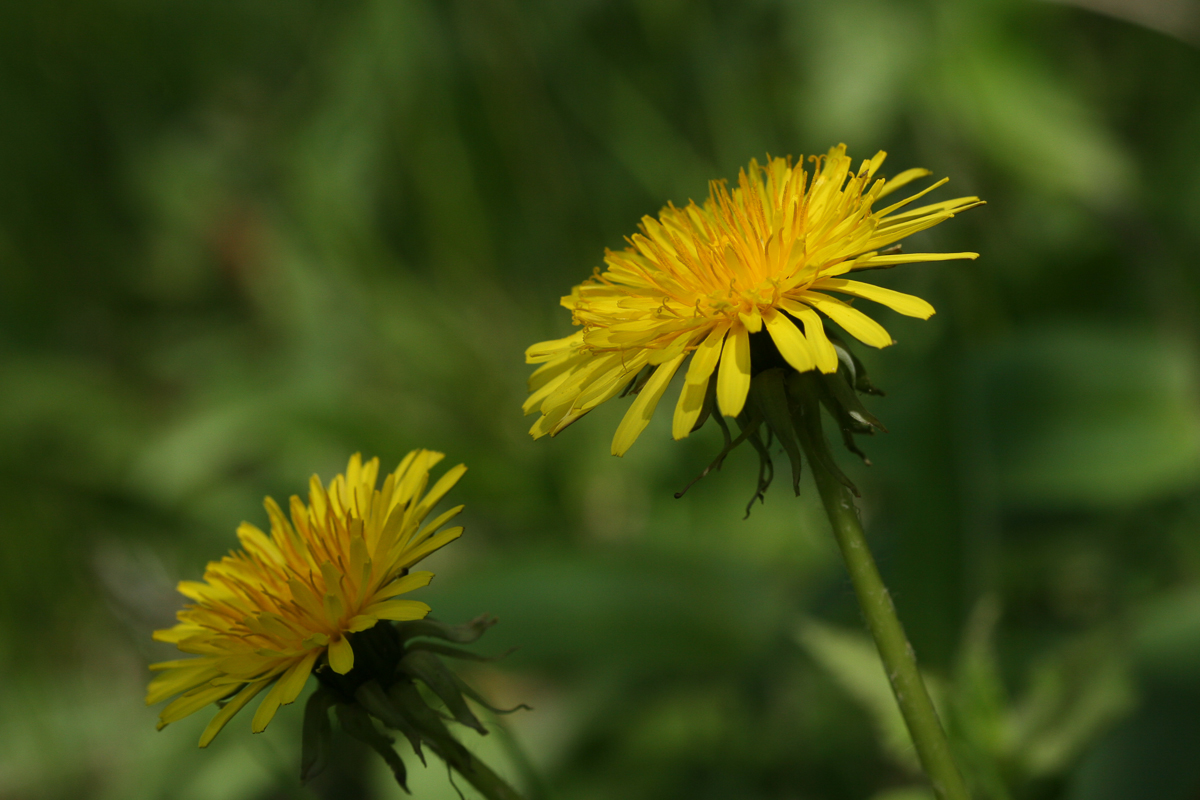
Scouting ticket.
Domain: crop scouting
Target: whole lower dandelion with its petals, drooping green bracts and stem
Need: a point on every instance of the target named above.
(326, 594)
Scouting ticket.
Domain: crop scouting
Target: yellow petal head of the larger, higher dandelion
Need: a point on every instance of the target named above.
(706, 281)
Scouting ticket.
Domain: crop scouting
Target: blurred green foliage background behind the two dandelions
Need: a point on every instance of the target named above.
(241, 242)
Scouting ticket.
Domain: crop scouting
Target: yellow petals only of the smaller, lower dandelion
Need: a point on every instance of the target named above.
(265, 616)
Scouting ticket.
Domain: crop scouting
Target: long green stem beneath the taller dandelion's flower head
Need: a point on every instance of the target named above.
(899, 660)
